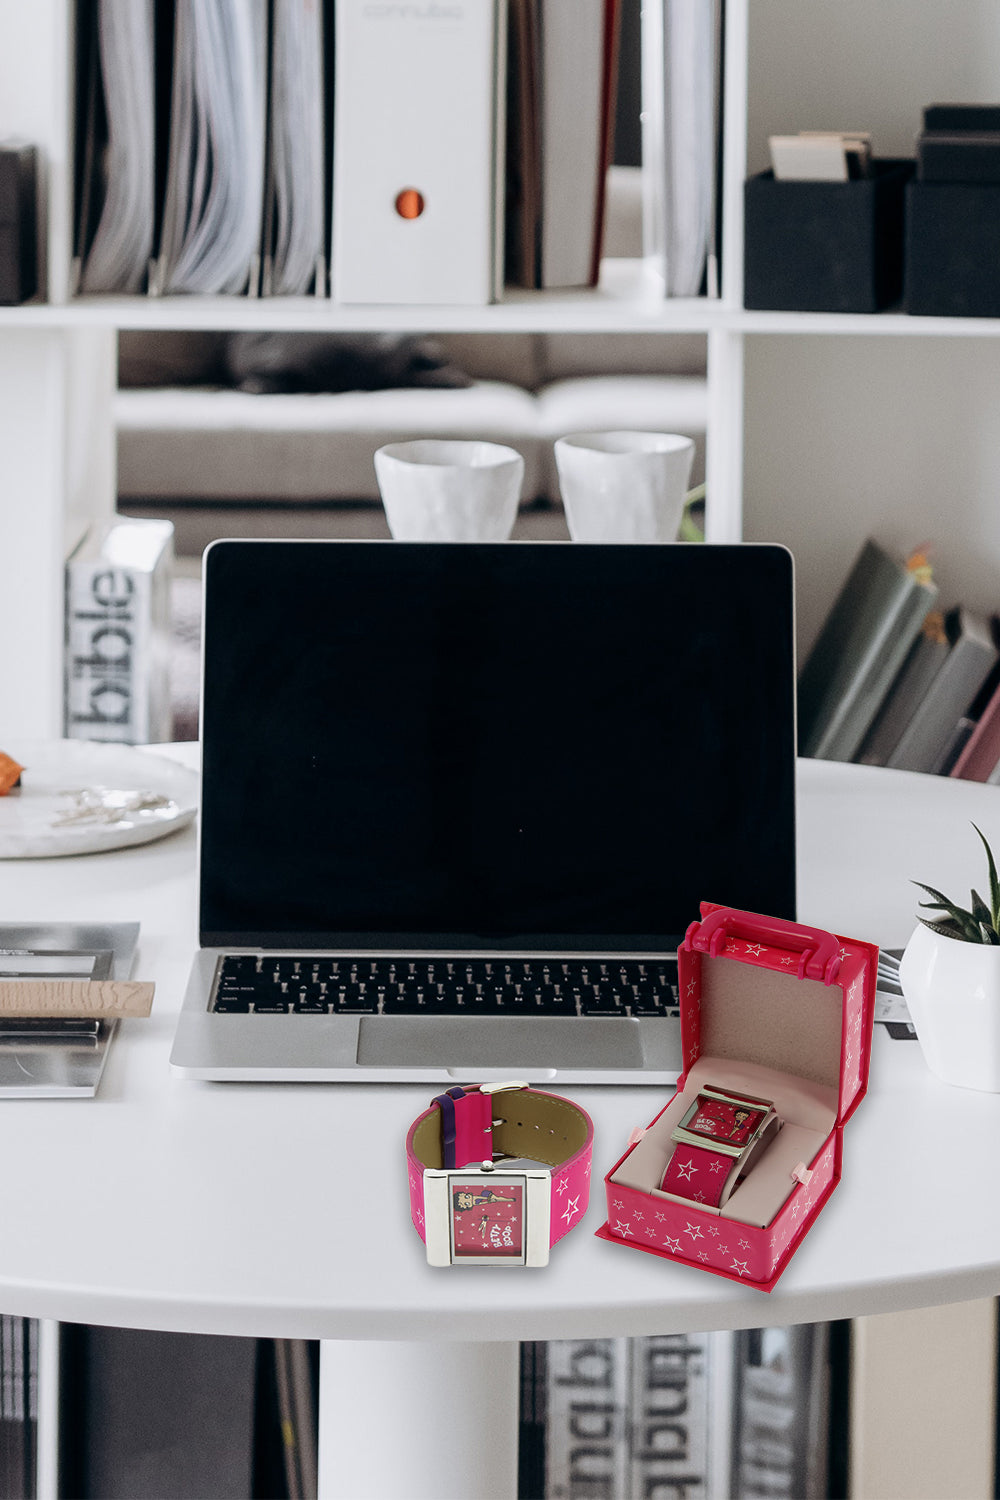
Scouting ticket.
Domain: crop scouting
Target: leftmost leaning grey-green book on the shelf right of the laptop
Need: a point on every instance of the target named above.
(860, 650)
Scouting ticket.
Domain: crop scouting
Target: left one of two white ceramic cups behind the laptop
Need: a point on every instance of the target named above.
(449, 491)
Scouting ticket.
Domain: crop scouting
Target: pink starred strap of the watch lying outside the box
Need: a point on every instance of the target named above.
(466, 1127)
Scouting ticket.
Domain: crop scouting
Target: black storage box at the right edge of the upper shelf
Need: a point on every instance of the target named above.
(953, 250)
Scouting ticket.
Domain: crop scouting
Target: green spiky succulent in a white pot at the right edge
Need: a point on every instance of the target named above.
(951, 980)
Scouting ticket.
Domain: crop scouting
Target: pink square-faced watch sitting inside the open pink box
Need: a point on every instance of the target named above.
(717, 1142)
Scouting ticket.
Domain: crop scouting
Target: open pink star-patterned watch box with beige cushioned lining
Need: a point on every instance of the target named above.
(770, 1012)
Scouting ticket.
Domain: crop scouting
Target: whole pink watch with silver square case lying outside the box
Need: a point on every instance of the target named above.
(478, 1192)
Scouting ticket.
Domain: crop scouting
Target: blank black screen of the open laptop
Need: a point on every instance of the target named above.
(496, 746)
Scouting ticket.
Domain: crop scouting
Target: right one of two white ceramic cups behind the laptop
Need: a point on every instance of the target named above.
(624, 487)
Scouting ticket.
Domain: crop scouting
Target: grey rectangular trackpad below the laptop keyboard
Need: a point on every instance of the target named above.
(400, 1042)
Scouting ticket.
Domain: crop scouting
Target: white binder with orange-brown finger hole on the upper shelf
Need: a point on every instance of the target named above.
(419, 152)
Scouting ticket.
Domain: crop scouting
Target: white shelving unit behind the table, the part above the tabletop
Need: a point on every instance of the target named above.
(822, 428)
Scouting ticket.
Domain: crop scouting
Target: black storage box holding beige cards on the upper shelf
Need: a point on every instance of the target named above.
(825, 247)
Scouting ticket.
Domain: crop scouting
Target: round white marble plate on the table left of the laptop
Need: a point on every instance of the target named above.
(82, 797)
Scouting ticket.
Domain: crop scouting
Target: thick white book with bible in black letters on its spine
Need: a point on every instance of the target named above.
(118, 671)
